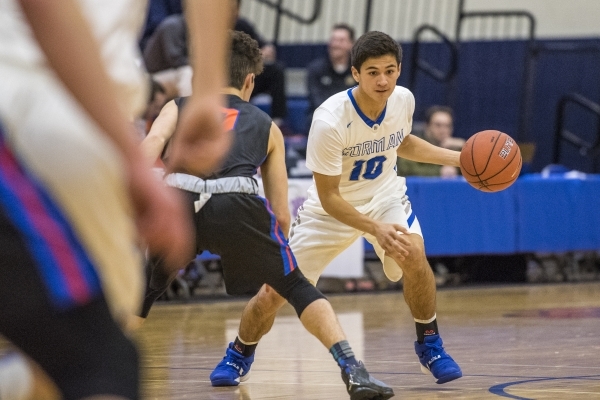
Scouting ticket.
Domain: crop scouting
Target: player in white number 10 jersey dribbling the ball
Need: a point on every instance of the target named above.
(354, 140)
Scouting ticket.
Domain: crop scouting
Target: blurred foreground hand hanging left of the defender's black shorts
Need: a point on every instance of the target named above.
(161, 218)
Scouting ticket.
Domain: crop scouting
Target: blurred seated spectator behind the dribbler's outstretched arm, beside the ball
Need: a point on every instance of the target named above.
(438, 131)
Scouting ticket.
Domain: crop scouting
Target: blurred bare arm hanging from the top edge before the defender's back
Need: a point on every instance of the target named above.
(201, 143)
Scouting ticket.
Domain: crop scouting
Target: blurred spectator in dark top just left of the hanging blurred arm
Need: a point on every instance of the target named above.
(166, 56)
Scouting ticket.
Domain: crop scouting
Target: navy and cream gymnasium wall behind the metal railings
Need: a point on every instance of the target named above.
(488, 90)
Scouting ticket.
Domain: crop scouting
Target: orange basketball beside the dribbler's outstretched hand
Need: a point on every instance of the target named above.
(490, 161)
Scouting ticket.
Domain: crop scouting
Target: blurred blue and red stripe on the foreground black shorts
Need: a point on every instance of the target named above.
(60, 286)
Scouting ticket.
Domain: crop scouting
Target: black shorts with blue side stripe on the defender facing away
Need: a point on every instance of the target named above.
(243, 230)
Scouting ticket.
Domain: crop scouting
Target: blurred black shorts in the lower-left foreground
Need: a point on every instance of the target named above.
(78, 344)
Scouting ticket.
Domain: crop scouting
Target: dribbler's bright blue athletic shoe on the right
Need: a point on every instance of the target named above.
(436, 361)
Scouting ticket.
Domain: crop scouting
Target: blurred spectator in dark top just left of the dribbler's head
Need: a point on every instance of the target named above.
(331, 74)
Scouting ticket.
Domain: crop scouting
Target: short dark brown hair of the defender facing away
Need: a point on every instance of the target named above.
(244, 58)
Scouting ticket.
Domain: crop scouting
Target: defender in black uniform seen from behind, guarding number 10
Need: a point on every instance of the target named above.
(250, 232)
